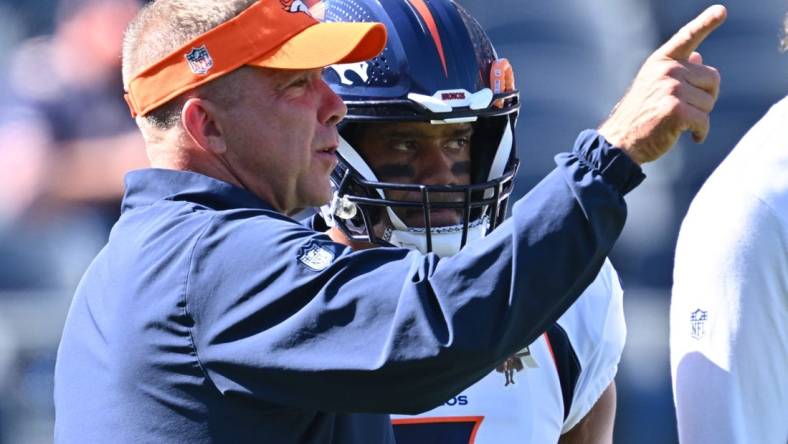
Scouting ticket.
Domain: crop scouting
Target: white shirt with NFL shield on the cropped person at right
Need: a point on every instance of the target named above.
(729, 311)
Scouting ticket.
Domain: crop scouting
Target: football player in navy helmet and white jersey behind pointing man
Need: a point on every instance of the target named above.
(427, 161)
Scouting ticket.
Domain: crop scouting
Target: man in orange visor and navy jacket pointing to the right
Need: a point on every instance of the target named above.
(212, 316)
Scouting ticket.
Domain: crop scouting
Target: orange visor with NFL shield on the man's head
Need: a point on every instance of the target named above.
(277, 34)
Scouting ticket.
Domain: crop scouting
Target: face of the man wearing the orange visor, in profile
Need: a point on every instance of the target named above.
(282, 137)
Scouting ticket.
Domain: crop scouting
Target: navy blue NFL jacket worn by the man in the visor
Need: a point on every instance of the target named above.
(209, 317)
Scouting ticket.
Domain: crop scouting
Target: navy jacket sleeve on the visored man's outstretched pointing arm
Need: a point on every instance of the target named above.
(284, 317)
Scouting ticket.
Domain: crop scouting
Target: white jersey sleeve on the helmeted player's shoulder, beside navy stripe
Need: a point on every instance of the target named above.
(597, 330)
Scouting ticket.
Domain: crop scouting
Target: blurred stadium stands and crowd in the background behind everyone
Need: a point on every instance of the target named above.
(66, 139)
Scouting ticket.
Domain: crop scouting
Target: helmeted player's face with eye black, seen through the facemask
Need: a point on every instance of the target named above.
(419, 153)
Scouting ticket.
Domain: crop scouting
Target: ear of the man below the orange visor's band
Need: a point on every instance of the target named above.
(198, 117)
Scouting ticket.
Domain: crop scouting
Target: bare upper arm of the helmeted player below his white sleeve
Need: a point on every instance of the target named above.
(597, 426)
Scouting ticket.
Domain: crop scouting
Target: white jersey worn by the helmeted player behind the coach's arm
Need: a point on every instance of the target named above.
(542, 391)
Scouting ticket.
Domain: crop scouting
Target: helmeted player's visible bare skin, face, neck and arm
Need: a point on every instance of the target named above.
(423, 153)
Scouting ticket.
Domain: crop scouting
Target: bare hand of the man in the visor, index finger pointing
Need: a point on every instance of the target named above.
(673, 92)
